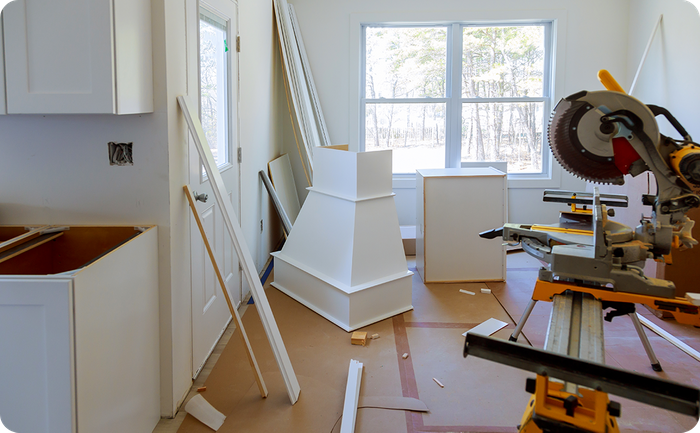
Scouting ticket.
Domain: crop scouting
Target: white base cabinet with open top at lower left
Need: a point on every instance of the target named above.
(79, 344)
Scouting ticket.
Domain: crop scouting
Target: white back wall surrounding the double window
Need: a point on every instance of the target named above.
(326, 29)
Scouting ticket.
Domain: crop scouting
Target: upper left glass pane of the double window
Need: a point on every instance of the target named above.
(405, 62)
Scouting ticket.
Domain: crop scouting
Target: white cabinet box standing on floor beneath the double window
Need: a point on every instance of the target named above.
(453, 206)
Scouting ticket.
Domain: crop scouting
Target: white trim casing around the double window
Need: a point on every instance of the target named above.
(557, 17)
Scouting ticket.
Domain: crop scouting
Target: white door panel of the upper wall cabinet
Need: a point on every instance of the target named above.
(58, 56)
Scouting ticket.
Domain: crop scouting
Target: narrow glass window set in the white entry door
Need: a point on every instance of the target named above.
(214, 92)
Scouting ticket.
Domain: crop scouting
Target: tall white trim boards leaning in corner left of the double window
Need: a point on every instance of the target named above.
(294, 72)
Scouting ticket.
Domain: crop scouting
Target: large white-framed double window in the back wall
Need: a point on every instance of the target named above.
(447, 95)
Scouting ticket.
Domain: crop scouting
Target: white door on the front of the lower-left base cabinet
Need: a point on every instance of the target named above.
(36, 352)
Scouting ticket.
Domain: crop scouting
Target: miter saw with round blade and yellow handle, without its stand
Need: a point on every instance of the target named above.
(601, 136)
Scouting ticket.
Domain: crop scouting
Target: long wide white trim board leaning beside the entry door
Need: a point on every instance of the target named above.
(246, 260)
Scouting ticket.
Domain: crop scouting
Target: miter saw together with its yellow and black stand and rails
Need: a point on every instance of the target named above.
(593, 263)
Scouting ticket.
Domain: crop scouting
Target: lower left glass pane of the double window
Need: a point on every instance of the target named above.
(415, 133)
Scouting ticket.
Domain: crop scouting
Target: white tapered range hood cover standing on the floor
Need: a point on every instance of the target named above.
(345, 259)
